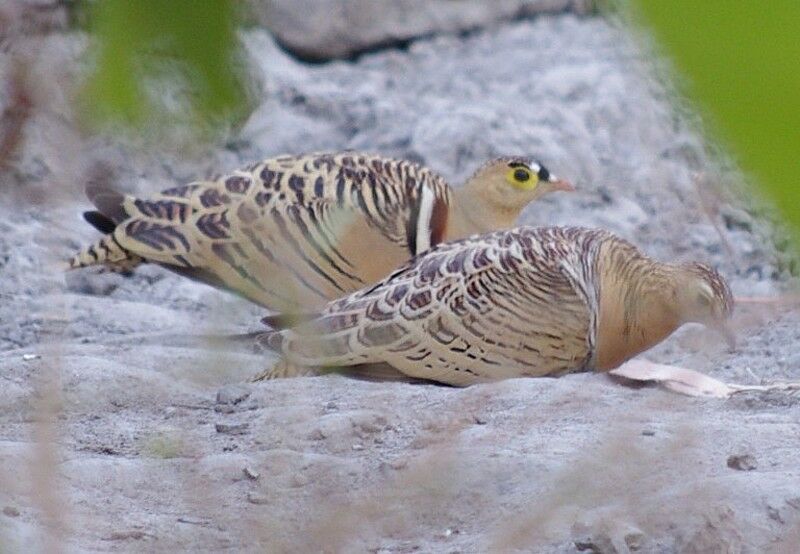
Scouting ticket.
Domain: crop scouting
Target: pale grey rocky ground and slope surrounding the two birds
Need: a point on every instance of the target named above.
(122, 429)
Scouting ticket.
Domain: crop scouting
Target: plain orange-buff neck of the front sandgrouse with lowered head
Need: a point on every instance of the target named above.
(637, 305)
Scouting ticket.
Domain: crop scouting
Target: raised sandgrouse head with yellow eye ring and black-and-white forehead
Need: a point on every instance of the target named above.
(511, 183)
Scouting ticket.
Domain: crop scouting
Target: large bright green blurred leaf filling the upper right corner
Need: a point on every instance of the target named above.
(742, 61)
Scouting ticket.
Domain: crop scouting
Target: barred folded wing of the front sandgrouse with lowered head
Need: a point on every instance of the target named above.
(465, 312)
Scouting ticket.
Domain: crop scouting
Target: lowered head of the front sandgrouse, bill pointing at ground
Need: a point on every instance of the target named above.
(705, 297)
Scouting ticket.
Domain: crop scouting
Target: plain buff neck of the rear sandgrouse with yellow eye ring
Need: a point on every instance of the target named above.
(471, 213)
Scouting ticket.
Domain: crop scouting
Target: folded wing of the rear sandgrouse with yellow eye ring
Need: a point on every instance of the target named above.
(287, 257)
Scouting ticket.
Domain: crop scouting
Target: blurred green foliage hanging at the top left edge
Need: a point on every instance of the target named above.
(191, 45)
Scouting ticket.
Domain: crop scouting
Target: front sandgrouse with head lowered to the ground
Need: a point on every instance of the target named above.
(521, 302)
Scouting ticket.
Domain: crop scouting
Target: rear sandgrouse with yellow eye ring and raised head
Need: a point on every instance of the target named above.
(292, 233)
